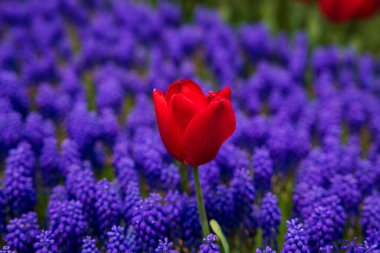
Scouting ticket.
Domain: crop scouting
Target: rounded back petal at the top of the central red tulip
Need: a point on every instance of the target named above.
(189, 89)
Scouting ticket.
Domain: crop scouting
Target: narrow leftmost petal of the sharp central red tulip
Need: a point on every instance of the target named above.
(163, 121)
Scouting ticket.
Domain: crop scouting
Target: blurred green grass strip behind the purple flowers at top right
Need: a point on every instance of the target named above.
(291, 16)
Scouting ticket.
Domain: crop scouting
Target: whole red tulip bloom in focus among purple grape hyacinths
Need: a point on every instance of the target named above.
(192, 125)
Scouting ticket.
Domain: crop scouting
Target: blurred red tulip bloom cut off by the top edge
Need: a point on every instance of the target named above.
(340, 11)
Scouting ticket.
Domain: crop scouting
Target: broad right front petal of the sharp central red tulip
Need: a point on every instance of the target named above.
(207, 131)
